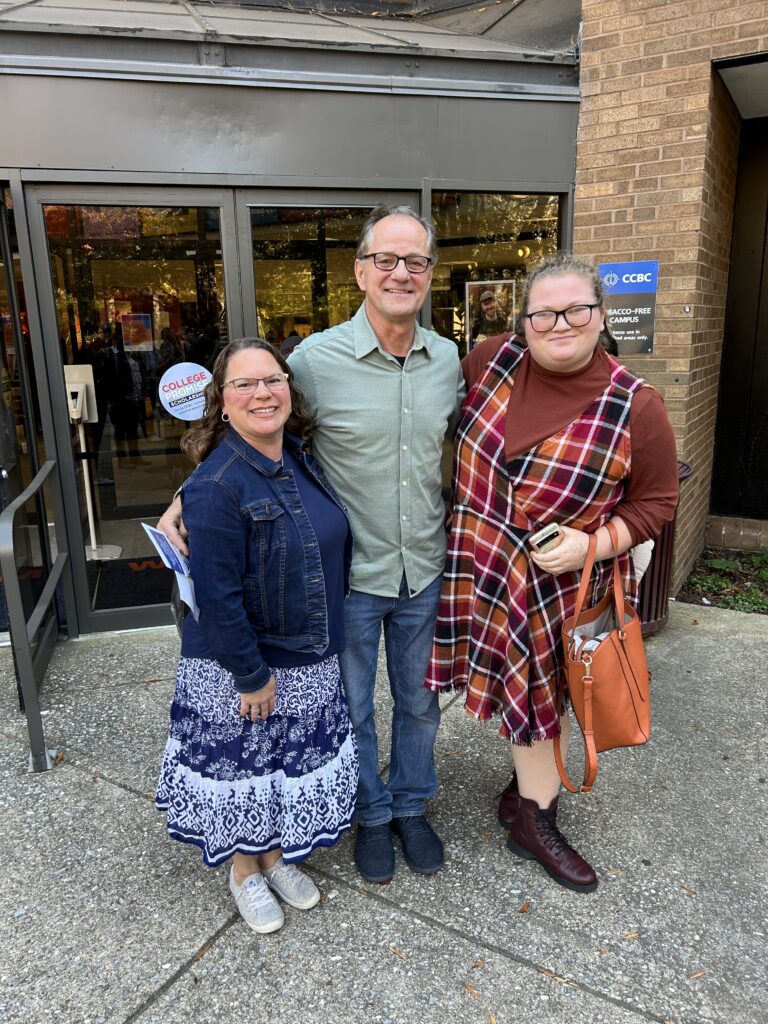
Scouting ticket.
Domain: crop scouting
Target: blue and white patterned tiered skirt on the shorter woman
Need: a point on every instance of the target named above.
(230, 785)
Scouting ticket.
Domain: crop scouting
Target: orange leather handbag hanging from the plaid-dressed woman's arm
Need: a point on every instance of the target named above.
(607, 671)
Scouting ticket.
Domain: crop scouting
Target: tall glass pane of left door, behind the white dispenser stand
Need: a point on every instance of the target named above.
(137, 290)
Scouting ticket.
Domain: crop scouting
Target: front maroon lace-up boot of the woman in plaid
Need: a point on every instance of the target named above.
(535, 837)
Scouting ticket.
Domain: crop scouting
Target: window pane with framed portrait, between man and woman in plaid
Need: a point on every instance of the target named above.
(488, 243)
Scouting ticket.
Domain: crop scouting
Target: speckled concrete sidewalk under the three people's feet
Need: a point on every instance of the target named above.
(103, 918)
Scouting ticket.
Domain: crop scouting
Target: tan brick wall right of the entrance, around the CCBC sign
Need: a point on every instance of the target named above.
(657, 160)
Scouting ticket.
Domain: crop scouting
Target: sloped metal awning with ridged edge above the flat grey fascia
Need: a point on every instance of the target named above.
(195, 41)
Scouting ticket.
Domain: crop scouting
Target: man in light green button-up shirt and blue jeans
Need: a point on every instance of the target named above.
(383, 395)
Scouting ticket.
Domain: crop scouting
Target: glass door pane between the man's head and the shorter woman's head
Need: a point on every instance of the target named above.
(304, 264)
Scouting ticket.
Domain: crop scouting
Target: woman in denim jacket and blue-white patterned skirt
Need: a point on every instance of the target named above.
(262, 763)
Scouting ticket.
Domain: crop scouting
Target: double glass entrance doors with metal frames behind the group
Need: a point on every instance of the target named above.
(134, 282)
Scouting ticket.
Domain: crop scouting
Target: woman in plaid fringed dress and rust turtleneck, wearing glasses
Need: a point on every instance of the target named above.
(553, 431)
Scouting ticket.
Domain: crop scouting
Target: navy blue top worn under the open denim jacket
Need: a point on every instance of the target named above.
(330, 528)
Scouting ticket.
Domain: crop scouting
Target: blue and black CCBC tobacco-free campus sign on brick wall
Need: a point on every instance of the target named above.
(630, 291)
